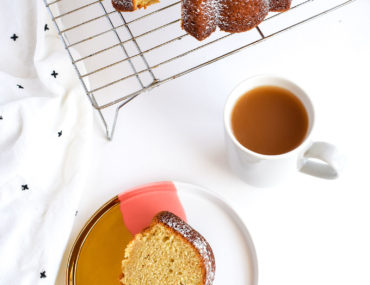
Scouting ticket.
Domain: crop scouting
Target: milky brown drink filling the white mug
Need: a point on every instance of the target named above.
(269, 120)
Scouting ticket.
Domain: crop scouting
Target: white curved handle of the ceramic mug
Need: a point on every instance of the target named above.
(322, 160)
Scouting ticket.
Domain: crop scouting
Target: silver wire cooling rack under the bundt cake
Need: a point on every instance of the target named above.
(118, 56)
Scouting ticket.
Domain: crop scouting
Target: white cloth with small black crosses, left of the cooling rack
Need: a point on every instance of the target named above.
(45, 136)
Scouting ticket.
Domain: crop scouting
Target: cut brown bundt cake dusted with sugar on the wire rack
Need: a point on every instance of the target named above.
(200, 18)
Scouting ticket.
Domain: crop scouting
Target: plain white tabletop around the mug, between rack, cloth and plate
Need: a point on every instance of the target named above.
(307, 231)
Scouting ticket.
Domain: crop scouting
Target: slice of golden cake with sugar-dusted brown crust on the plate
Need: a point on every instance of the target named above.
(169, 252)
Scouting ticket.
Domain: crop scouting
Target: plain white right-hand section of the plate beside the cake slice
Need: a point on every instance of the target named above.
(236, 261)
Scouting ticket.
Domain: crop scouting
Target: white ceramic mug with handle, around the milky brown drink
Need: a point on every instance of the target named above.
(319, 159)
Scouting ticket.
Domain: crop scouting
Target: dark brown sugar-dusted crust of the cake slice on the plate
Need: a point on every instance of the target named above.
(195, 239)
